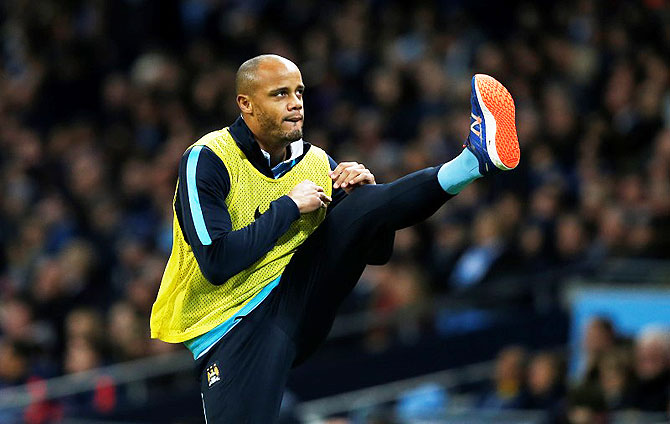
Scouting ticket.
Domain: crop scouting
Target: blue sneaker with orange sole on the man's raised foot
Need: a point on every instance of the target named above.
(492, 139)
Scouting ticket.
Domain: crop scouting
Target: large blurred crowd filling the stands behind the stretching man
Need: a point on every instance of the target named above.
(98, 100)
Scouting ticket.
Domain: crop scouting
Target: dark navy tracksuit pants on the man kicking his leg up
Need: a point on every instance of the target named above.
(253, 360)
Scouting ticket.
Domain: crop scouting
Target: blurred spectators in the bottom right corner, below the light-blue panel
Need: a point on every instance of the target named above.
(619, 374)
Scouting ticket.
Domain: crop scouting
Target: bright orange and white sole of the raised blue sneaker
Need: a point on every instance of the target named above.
(502, 142)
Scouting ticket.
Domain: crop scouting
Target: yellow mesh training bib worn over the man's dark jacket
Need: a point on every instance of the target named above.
(188, 305)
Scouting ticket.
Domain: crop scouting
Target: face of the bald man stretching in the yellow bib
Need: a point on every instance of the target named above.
(277, 101)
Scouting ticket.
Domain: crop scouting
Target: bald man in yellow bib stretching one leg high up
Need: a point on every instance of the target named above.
(270, 235)
